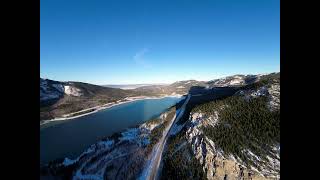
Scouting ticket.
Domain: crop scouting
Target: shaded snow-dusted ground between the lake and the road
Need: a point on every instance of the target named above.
(123, 155)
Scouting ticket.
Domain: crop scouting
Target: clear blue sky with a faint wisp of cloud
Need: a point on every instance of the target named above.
(135, 41)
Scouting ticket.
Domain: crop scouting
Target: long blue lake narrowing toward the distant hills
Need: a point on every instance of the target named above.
(69, 138)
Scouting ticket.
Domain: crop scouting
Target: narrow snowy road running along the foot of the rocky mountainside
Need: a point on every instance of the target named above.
(152, 169)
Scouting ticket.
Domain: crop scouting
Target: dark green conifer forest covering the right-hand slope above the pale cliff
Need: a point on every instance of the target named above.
(243, 125)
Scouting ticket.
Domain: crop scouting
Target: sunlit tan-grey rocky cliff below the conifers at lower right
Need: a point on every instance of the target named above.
(216, 164)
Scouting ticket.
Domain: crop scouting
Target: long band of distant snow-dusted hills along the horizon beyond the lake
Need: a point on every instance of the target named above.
(59, 98)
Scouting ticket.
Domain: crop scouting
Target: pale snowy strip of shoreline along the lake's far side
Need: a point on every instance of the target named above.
(105, 106)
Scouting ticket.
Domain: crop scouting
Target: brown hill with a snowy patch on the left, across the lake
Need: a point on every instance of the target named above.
(60, 98)
